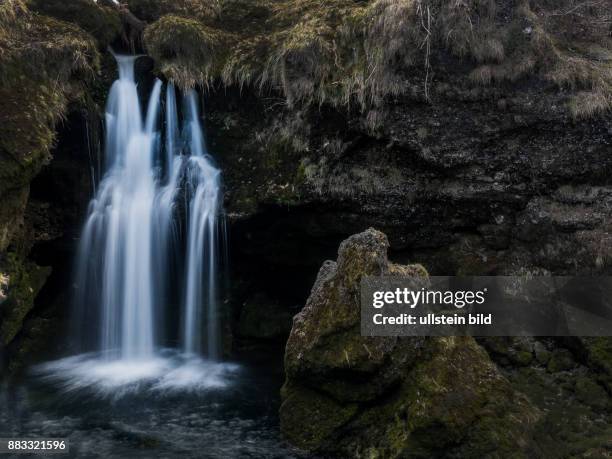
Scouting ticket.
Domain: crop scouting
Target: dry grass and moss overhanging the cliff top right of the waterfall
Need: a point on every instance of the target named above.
(347, 51)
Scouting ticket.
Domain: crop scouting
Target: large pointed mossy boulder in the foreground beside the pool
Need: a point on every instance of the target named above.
(372, 397)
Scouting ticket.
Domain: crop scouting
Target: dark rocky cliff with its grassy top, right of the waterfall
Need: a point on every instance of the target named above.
(475, 134)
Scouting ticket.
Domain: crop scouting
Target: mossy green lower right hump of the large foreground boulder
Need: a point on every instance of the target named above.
(452, 402)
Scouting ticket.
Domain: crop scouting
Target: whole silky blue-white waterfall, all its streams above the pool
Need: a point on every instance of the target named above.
(124, 276)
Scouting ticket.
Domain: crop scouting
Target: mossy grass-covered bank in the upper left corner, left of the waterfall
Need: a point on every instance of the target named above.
(43, 63)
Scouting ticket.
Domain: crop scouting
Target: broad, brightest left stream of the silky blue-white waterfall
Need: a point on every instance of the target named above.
(114, 259)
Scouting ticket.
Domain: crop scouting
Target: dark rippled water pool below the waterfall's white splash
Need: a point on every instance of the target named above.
(236, 419)
